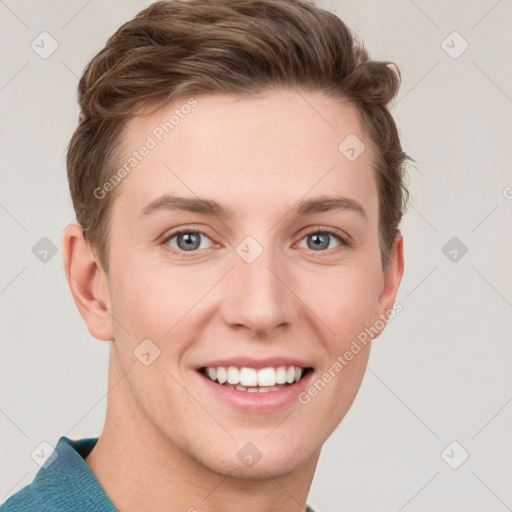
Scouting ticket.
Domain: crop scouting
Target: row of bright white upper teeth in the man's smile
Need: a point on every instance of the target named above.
(252, 377)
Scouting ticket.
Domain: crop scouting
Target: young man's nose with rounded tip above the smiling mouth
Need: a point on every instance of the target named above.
(258, 295)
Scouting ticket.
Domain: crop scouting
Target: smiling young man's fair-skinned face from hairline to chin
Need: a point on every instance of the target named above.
(263, 287)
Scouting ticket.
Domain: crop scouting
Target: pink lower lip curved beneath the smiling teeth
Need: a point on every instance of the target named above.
(258, 402)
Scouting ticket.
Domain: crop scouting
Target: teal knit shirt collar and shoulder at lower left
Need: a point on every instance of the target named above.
(65, 484)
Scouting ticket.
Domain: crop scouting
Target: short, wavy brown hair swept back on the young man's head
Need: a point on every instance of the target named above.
(177, 48)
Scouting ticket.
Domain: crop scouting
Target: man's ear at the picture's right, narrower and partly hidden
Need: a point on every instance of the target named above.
(391, 281)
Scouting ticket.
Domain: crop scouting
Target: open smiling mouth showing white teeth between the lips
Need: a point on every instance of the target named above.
(255, 380)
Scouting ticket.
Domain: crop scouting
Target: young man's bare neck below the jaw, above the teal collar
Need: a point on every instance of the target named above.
(137, 464)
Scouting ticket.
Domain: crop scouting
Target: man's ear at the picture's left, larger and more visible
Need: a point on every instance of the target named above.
(88, 283)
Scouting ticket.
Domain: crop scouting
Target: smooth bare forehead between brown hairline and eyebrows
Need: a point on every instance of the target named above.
(279, 146)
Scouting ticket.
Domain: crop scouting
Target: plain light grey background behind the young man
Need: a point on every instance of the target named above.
(442, 370)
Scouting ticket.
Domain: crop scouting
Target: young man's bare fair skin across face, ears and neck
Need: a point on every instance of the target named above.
(166, 440)
